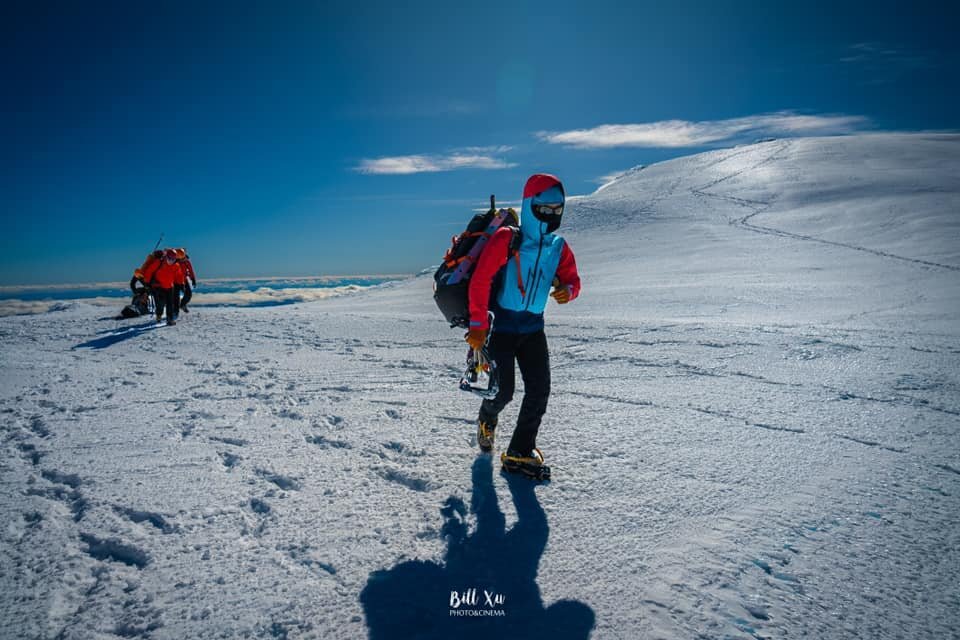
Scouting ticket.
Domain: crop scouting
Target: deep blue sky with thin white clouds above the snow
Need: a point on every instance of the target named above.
(311, 138)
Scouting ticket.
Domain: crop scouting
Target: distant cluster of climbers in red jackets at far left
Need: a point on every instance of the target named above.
(168, 277)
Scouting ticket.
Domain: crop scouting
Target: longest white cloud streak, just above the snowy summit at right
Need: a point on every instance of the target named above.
(683, 133)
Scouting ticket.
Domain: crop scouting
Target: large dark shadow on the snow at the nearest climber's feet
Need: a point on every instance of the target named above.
(414, 599)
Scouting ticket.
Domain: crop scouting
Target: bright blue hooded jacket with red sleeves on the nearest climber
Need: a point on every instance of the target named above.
(524, 280)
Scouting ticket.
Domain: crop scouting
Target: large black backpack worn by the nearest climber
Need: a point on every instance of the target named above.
(451, 282)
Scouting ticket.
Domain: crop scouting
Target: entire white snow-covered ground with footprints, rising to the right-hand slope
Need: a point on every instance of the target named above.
(753, 431)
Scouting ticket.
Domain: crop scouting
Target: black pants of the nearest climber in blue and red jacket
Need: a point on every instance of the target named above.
(530, 352)
